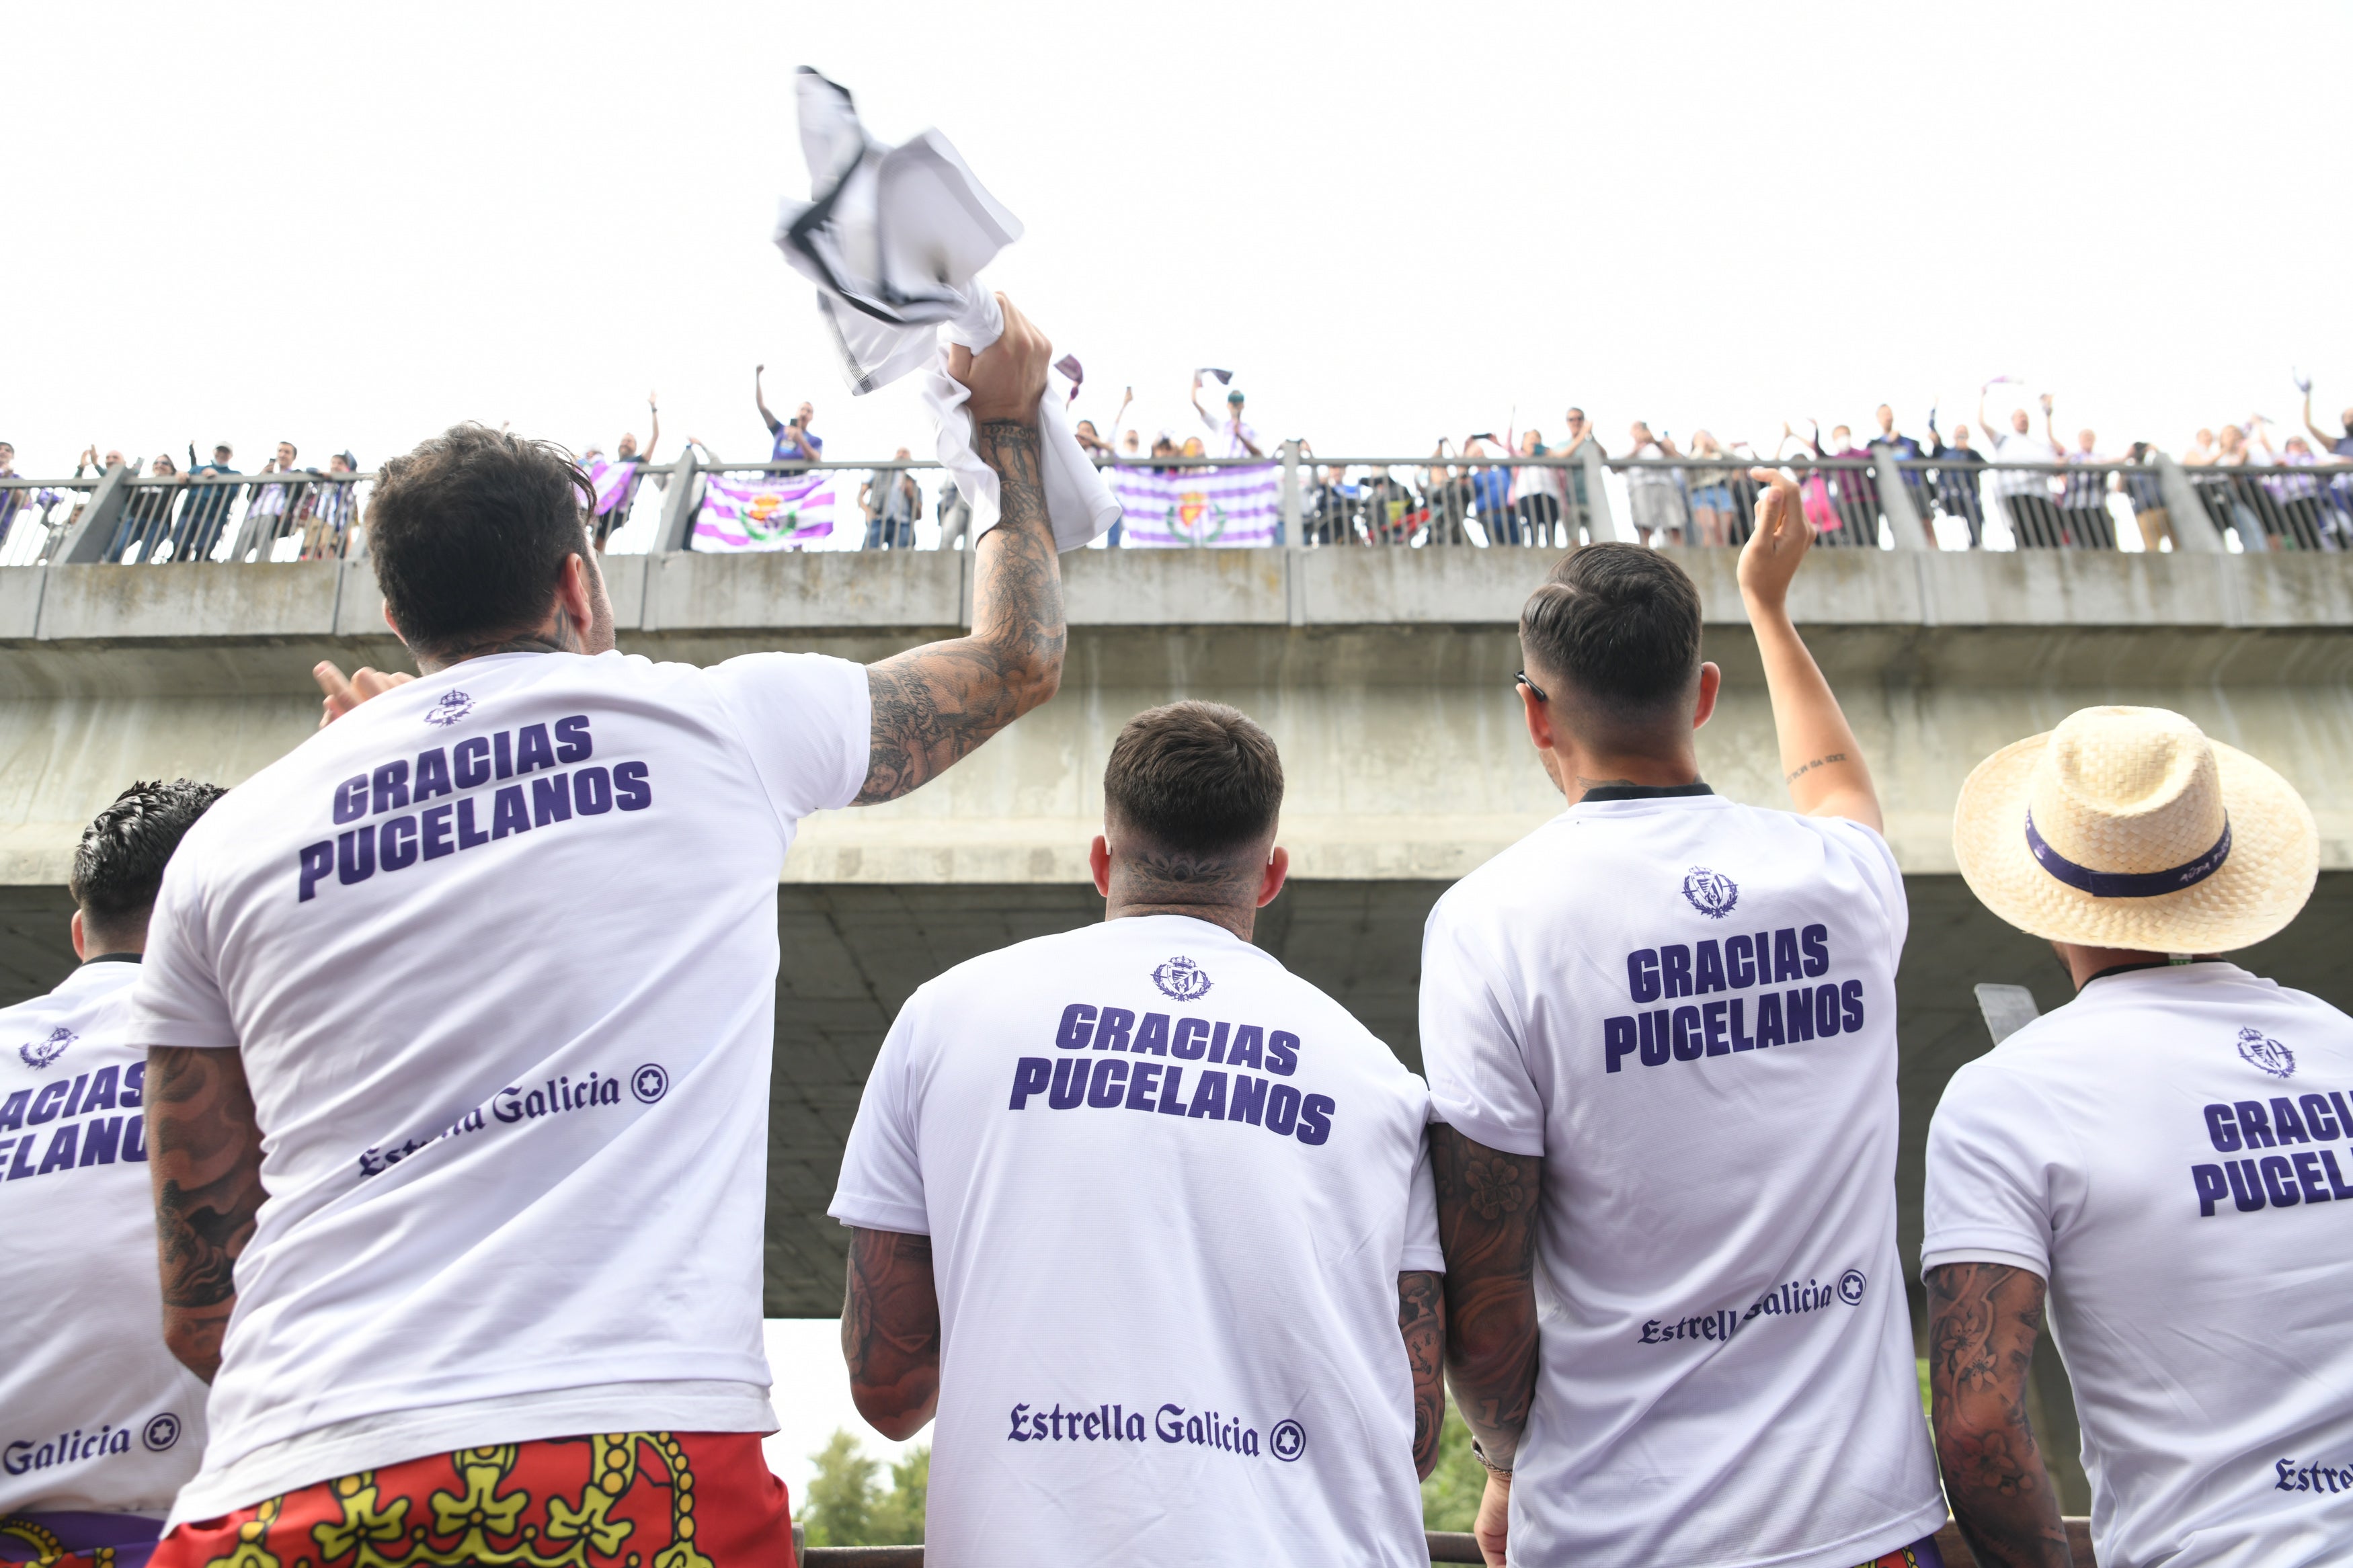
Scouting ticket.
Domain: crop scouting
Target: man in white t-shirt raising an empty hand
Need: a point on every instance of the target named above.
(1662, 1047)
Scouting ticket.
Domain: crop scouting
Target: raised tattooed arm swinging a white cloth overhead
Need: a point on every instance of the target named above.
(940, 702)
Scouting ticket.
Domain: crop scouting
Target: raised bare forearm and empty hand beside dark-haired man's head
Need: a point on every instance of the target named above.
(1820, 758)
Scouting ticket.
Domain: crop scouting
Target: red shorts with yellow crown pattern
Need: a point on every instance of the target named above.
(620, 1501)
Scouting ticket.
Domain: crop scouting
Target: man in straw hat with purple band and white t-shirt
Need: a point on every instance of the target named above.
(2149, 1158)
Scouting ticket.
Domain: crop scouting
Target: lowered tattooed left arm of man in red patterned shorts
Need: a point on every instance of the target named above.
(206, 1167)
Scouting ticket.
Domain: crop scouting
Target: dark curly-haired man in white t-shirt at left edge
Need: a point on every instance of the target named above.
(98, 1423)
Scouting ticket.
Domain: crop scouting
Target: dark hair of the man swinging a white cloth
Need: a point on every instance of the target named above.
(469, 535)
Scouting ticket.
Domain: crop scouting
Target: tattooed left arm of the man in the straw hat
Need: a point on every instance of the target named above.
(1982, 1322)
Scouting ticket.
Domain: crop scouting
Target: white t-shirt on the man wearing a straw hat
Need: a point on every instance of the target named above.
(2171, 1153)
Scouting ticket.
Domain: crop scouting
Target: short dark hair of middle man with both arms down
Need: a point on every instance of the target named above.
(1194, 779)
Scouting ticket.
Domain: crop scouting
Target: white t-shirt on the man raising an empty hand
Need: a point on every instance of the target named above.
(1688, 1010)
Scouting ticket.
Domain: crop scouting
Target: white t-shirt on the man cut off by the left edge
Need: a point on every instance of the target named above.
(95, 1414)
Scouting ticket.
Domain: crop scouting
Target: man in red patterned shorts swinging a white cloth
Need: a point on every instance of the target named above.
(460, 1031)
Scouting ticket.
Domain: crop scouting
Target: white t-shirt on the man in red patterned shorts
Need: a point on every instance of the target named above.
(500, 953)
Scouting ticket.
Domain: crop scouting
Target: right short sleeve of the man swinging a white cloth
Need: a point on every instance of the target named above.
(808, 723)
